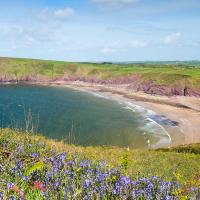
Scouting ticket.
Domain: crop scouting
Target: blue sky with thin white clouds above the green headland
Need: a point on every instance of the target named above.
(100, 30)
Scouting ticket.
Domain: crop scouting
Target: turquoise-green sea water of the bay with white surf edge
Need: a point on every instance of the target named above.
(78, 117)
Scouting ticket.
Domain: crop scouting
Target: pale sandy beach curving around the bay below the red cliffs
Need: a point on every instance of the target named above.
(183, 110)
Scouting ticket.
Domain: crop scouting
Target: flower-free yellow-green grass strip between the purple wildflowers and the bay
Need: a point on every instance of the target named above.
(182, 166)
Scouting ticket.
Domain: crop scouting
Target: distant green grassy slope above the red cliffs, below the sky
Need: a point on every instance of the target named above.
(169, 74)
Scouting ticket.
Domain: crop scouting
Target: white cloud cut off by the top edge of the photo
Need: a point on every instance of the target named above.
(114, 2)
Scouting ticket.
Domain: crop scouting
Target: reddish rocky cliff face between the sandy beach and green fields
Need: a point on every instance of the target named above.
(133, 82)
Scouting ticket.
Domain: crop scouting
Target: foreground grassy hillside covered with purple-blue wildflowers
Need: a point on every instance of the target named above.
(35, 167)
